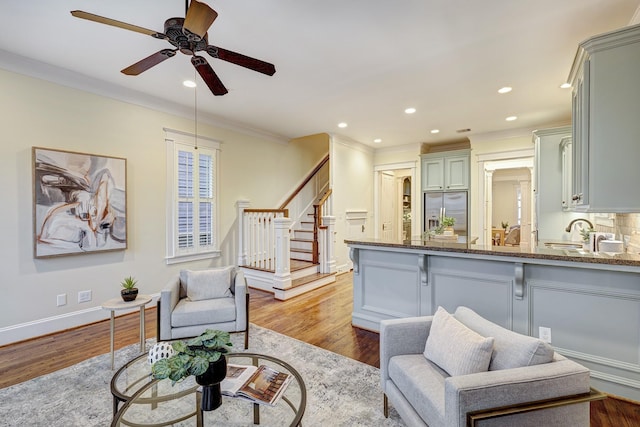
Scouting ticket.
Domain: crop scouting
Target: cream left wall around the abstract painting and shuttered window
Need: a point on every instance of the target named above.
(39, 113)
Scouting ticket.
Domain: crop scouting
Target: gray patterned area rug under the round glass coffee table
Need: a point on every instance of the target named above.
(340, 391)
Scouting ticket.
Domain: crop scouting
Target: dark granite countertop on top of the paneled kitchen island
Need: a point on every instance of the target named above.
(538, 252)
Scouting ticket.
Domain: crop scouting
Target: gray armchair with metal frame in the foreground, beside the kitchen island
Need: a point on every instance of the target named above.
(521, 370)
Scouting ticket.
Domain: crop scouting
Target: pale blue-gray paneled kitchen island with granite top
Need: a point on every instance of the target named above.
(590, 303)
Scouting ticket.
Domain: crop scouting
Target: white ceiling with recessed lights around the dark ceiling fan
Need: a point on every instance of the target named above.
(360, 62)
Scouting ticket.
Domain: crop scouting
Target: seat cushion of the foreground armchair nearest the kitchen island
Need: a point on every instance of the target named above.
(422, 384)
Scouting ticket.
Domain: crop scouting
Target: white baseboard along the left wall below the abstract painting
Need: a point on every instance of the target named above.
(48, 325)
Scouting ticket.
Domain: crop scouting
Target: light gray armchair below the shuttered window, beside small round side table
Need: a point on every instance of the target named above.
(215, 298)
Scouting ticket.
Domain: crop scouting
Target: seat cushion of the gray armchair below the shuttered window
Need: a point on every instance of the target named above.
(188, 313)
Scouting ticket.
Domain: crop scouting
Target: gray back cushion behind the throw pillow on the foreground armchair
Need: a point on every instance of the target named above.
(510, 349)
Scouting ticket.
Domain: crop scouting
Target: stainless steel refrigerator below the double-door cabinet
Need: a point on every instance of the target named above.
(436, 204)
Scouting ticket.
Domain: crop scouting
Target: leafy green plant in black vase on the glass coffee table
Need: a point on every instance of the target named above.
(202, 357)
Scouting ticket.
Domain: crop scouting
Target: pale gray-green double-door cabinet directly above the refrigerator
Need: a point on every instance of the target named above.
(445, 171)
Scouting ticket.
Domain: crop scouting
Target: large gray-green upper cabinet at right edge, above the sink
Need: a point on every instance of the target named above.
(605, 77)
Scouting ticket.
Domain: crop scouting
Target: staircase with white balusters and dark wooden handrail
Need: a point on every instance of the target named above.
(289, 251)
